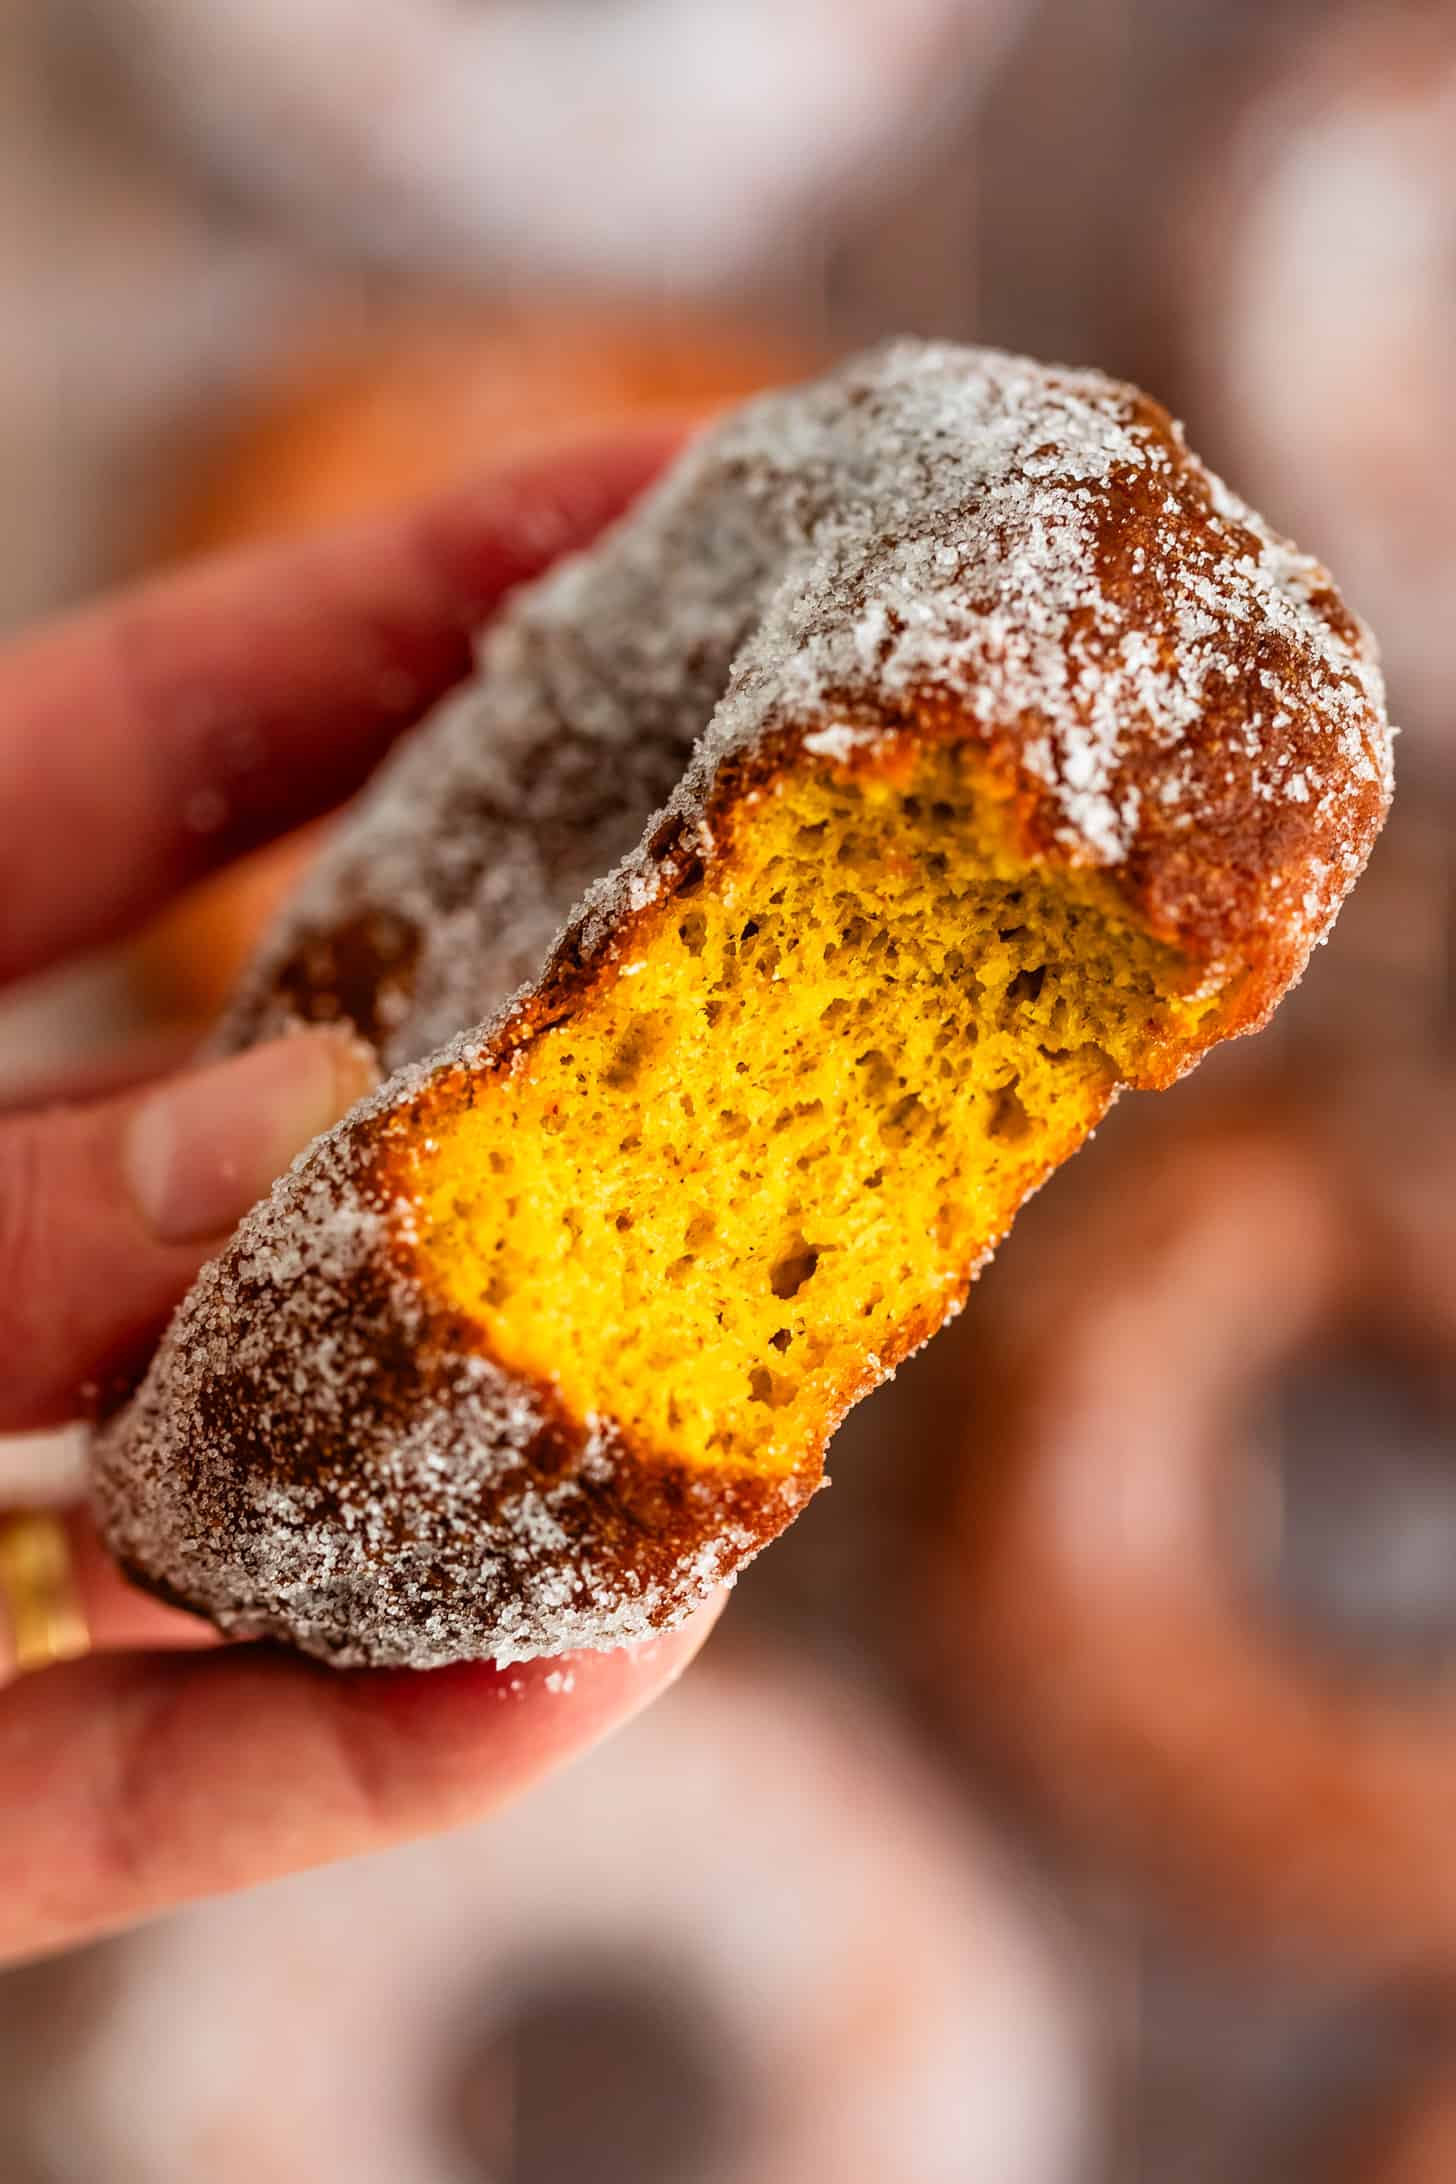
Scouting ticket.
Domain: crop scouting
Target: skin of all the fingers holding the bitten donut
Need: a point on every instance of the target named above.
(256, 691)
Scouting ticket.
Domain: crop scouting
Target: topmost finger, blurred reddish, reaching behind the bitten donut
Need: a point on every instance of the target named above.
(156, 737)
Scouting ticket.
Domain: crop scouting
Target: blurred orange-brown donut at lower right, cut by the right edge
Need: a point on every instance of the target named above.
(1108, 1635)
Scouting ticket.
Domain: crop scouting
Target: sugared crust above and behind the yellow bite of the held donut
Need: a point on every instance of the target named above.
(1040, 547)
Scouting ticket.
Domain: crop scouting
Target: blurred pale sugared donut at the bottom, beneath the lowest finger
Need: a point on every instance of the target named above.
(759, 1879)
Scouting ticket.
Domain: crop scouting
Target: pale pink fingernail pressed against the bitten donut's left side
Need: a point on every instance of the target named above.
(211, 1146)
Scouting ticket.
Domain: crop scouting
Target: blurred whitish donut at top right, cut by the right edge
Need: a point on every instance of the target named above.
(1320, 322)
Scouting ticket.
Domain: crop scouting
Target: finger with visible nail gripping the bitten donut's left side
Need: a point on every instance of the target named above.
(108, 1211)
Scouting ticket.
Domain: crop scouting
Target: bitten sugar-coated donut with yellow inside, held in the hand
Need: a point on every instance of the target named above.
(1031, 765)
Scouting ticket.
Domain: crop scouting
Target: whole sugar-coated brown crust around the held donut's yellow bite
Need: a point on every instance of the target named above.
(927, 536)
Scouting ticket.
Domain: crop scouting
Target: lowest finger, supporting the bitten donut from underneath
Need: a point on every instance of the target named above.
(136, 1783)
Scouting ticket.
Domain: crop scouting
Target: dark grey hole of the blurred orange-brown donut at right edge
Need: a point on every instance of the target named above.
(1354, 1539)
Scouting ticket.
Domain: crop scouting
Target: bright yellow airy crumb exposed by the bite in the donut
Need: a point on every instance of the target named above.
(776, 1143)
